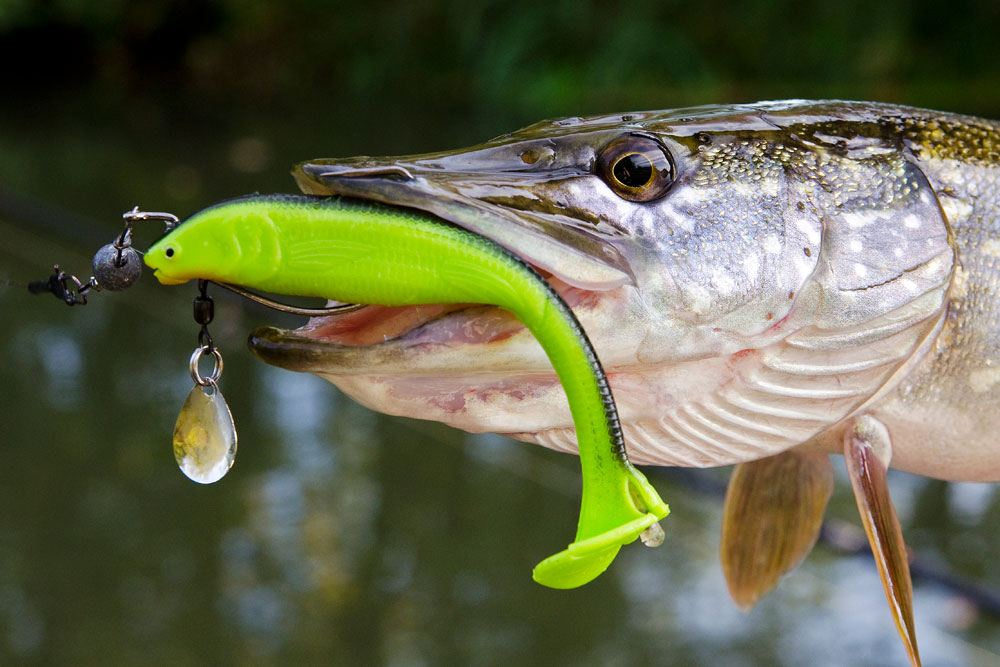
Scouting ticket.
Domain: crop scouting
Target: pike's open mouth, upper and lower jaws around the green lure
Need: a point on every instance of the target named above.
(472, 366)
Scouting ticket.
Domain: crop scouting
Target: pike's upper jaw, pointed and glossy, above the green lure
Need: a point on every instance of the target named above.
(459, 190)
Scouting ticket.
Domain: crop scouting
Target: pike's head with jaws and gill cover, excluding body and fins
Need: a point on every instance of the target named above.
(749, 275)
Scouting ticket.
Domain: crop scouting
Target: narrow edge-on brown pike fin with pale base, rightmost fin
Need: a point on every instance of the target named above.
(867, 450)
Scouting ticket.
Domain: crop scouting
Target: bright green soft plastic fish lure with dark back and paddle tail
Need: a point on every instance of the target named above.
(361, 252)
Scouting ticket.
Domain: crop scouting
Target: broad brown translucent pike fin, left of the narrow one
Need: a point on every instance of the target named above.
(771, 520)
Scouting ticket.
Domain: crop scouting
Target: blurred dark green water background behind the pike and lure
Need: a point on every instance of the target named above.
(344, 537)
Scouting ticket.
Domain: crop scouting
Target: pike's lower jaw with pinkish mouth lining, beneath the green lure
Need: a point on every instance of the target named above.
(471, 366)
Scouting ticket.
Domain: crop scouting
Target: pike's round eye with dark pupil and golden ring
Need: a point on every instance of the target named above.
(636, 168)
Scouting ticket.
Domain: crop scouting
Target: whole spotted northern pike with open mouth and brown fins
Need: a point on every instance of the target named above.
(764, 284)
